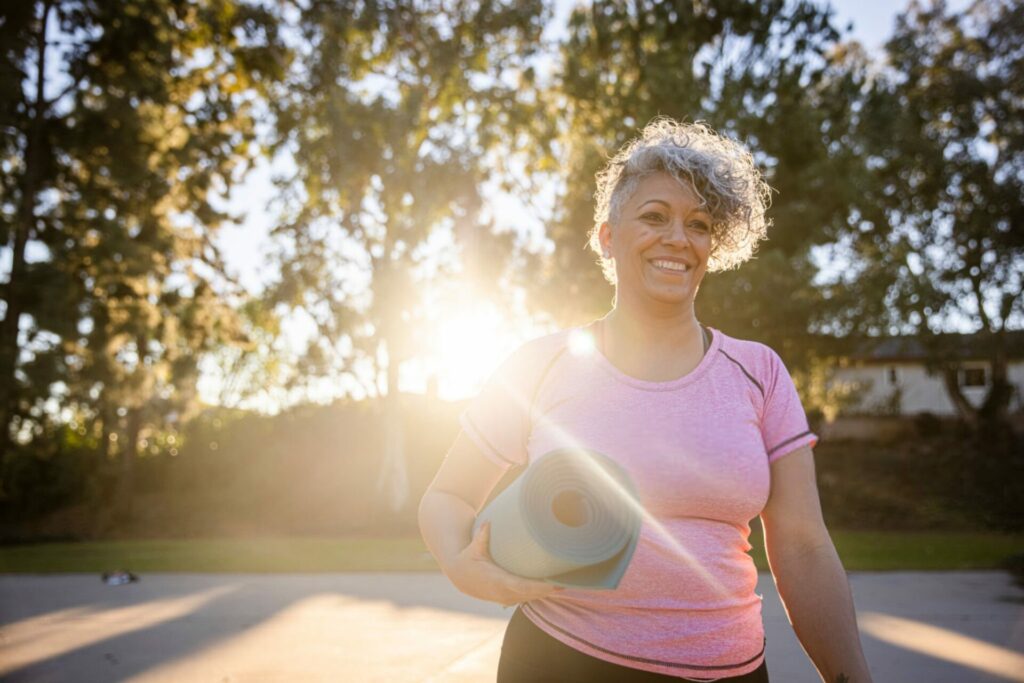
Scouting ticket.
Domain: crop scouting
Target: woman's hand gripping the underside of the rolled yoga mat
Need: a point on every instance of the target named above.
(476, 574)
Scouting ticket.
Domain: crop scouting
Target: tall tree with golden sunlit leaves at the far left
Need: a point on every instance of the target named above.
(122, 122)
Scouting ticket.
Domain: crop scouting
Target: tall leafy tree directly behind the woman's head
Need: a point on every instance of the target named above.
(763, 72)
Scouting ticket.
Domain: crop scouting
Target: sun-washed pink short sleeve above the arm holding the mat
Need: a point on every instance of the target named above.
(498, 419)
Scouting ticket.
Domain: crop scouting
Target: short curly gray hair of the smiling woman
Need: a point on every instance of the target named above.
(720, 172)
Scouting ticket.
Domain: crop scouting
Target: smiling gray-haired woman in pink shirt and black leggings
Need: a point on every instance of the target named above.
(709, 428)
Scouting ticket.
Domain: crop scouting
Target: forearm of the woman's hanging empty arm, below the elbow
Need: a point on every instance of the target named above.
(817, 594)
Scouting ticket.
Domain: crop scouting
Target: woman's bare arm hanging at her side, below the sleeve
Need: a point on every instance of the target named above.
(808, 573)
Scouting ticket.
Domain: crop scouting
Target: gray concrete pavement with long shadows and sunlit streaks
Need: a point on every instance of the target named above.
(399, 628)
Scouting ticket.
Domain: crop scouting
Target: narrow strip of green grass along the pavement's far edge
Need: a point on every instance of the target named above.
(860, 550)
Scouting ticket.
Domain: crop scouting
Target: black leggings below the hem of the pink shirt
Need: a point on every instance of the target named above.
(531, 656)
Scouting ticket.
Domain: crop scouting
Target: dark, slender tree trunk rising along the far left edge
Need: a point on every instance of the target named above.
(11, 325)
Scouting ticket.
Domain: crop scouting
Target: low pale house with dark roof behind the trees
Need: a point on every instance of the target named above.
(893, 378)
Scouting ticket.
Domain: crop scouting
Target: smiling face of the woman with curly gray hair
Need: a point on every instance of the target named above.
(661, 243)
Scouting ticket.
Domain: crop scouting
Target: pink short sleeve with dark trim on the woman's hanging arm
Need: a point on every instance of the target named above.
(784, 422)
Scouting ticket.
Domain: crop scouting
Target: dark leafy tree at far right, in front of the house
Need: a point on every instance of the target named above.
(938, 228)
